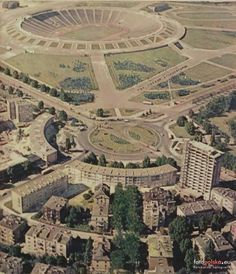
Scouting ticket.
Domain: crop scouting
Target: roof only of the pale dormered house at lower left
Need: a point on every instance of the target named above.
(49, 233)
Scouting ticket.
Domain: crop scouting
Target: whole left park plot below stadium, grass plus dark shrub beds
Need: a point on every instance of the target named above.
(68, 72)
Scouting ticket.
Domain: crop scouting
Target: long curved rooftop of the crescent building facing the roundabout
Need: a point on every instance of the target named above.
(109, 171)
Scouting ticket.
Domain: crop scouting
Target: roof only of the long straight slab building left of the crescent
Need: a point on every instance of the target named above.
(39, 182)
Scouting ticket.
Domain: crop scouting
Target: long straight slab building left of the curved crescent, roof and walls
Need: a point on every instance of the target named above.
(32, 195)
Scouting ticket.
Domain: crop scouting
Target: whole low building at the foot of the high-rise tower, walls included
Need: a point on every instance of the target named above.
(196, 210)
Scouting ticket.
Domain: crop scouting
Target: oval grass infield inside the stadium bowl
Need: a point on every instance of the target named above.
(91, 33)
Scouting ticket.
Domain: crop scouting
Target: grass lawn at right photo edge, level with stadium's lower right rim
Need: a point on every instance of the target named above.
(208, 39)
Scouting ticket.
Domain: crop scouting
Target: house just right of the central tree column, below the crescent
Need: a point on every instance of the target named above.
(157, 205)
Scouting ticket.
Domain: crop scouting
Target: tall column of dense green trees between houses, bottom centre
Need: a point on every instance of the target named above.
(126, 220)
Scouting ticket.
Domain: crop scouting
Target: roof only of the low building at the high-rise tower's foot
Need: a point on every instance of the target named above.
(189, 209)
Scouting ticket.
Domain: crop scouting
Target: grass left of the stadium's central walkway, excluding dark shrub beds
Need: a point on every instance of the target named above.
(52, 69)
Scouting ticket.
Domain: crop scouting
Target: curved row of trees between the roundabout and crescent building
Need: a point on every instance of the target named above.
(102, 161)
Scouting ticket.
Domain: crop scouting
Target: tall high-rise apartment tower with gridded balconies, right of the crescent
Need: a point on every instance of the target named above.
(201, 168)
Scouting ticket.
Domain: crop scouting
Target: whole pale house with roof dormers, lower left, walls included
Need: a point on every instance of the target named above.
(48, 240)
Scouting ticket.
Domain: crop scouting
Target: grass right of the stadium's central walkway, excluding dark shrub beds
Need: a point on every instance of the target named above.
(155, 60)
